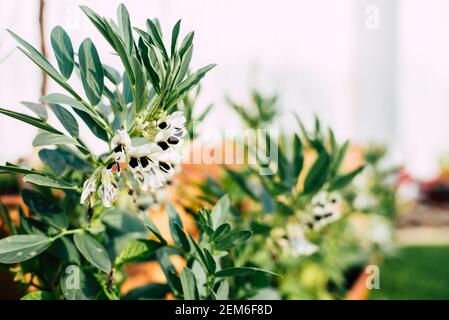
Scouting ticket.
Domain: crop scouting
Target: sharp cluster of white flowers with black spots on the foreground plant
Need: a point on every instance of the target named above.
(151, 165)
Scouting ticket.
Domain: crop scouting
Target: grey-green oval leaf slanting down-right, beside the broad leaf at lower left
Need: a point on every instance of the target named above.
(93, 251)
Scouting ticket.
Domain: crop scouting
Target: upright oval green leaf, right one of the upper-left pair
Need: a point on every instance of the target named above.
(91, 71)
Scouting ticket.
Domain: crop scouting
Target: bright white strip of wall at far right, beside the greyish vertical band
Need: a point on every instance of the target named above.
(423, 109)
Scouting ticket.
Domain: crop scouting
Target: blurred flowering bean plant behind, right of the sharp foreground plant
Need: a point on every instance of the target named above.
(300, 215)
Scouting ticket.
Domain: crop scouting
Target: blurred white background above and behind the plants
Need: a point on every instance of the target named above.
(373, 70)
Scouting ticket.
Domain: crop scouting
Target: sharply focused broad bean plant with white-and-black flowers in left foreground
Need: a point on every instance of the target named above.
(85, 215)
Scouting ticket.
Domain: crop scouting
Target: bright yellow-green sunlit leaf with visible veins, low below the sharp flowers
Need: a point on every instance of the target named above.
(137, 251)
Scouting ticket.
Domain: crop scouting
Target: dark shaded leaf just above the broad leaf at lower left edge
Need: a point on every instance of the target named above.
(46, 207)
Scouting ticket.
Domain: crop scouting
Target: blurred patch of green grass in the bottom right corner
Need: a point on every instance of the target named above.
(415, 273)
